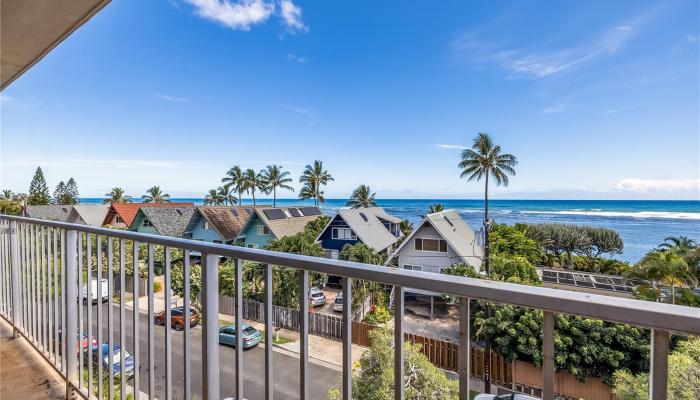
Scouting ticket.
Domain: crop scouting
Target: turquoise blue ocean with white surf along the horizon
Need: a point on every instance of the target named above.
(642, 224)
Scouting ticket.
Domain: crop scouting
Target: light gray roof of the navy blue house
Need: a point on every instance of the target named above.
(367, 225)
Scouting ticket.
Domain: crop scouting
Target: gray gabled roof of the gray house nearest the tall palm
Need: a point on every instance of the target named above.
(459, 236)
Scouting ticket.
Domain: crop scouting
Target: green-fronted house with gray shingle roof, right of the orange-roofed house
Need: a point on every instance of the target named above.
(166, 221)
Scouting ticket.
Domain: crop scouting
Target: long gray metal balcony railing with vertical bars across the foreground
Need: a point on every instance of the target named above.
(40, 261)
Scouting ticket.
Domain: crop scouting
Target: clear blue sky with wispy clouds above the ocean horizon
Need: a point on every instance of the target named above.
(597, 99)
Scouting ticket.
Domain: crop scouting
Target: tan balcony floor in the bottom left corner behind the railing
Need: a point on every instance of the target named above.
(24, 374)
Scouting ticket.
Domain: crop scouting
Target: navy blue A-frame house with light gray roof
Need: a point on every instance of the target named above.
(372, 226)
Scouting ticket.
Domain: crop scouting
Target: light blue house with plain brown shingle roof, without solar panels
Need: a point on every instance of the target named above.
(218, 224)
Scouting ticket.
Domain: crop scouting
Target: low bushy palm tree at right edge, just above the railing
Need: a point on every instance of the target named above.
(662, 268)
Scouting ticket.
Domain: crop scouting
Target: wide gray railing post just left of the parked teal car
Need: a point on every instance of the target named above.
(210, 334)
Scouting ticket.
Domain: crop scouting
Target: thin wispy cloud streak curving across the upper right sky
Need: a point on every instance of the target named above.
(536, 64)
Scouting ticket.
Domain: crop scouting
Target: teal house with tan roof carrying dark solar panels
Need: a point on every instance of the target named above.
(267, 224)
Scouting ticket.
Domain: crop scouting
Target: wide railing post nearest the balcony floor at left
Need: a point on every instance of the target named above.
(70, 299)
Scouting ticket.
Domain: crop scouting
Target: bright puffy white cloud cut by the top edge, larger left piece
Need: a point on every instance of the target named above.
(235, 15)
